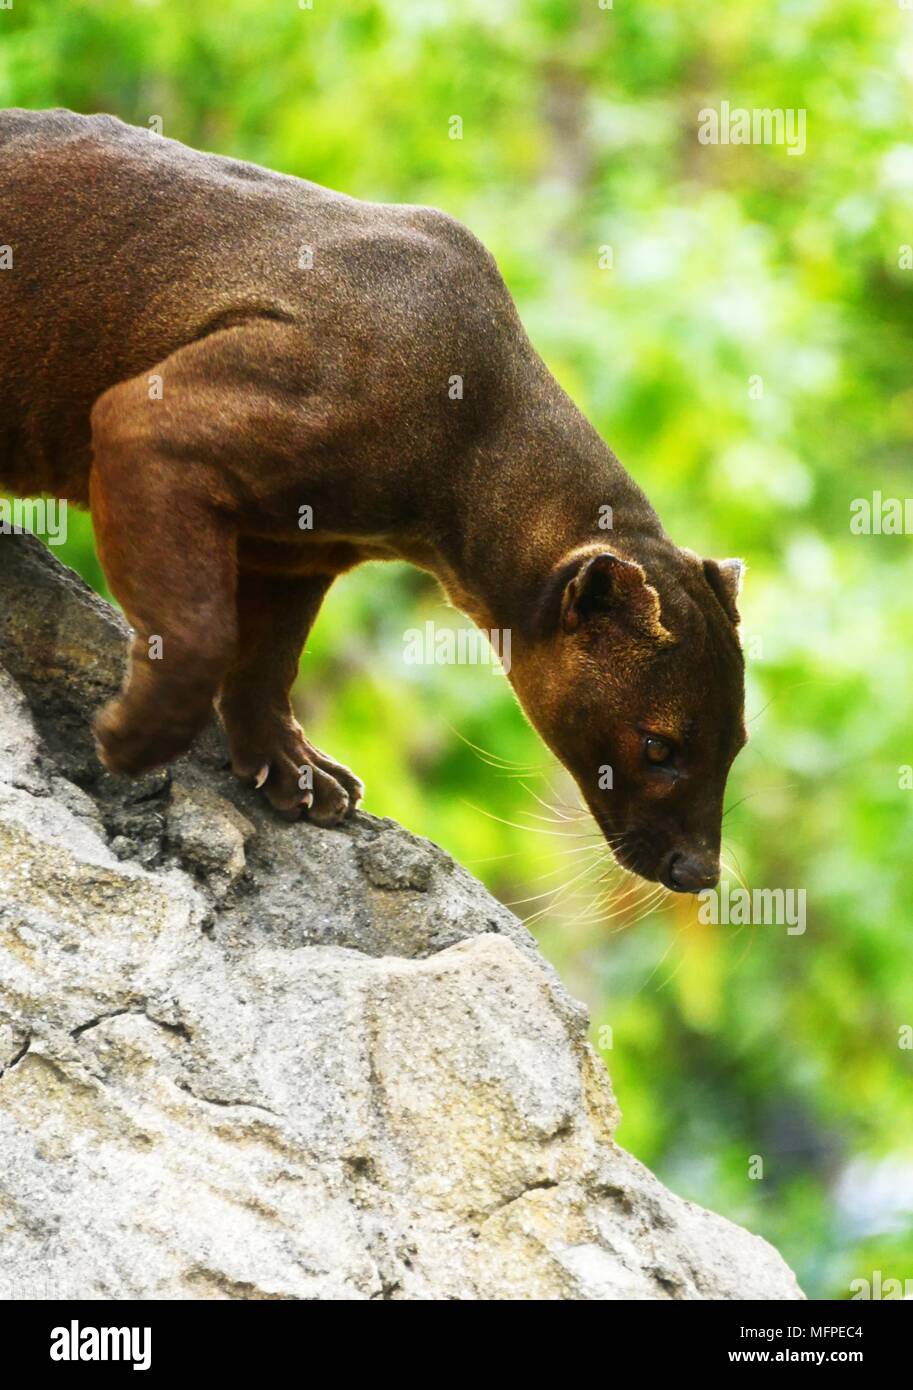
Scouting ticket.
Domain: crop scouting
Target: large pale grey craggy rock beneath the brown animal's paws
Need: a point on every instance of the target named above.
(248, 1060)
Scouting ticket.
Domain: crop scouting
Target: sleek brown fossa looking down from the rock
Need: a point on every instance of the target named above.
(329, 387)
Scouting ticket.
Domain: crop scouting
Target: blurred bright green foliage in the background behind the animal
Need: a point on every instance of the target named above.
(730, 263)
